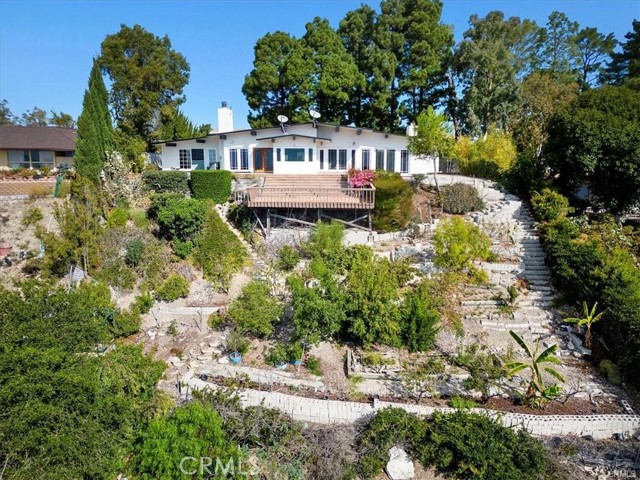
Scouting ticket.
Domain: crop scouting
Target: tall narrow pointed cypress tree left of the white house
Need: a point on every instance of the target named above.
(95, 131)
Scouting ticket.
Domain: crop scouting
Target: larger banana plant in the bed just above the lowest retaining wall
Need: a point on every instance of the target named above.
(536, 389)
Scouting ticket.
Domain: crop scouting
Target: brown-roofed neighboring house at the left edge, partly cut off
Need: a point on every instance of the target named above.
(36, 147)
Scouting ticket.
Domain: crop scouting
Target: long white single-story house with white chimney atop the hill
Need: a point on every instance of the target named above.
(293, 149)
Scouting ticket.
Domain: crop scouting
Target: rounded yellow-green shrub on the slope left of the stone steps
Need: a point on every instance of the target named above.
(458, 242)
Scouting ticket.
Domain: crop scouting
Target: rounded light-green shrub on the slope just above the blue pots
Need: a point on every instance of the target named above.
(255, 311)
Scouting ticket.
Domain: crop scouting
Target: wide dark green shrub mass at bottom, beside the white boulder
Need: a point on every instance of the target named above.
(460, 445)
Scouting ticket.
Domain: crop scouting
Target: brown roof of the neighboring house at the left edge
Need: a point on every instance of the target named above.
(37, 138)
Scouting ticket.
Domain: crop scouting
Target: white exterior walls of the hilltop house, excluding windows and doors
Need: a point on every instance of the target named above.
(325, 138)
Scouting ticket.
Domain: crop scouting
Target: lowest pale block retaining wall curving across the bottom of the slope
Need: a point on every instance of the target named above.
(333, 411)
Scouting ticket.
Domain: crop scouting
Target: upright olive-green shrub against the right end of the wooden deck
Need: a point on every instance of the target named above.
(393, 207)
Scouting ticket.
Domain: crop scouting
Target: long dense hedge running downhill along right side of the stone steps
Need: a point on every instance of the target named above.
(587, 268)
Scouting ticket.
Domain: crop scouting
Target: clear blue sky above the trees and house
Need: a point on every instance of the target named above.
(46, 46)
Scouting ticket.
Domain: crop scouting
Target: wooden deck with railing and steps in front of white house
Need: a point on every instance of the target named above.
(308, 191)
